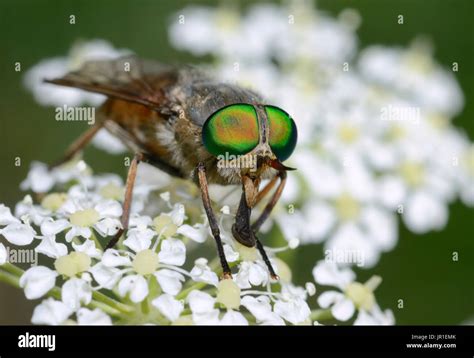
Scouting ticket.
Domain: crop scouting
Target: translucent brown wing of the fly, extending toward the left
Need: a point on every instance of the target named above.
(127, 78)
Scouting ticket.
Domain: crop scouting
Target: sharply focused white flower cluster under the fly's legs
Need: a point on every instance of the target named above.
(149, 277)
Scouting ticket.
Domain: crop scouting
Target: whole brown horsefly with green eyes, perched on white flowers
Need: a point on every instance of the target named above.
(184, 123)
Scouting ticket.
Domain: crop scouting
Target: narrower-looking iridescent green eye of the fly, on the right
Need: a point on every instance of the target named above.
(283, 133)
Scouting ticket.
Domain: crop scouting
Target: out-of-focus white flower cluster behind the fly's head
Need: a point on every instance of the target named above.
(375, 134)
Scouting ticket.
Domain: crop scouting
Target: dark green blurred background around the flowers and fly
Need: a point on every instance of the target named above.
(435, 290)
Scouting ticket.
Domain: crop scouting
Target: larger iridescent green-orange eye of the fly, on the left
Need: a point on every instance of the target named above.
(232, 129)
